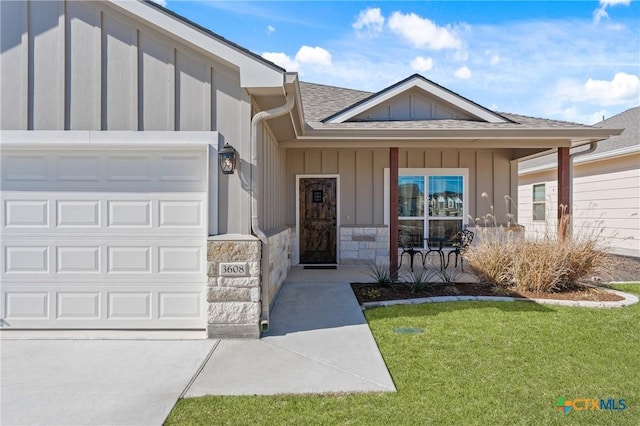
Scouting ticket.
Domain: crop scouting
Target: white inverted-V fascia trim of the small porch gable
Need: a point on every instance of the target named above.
(432, 89)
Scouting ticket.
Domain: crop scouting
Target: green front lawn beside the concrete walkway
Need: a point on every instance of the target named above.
(476, 363)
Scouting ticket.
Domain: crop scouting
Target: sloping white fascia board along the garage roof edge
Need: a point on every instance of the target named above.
(253, 72)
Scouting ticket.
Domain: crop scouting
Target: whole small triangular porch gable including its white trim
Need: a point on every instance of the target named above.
(415, 98)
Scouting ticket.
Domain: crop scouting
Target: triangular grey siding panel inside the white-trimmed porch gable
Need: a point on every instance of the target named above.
(414, 104)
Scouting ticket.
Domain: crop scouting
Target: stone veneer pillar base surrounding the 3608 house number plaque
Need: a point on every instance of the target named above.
(233, 302)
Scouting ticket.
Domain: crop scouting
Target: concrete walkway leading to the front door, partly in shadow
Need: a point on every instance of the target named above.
(318, 342)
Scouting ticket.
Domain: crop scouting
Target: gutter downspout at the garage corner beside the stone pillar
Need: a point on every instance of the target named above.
(255, 223)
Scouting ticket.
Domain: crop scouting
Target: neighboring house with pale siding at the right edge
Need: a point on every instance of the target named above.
(606, 189)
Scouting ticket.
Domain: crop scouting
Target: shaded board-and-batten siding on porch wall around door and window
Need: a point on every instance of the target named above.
(361, 174)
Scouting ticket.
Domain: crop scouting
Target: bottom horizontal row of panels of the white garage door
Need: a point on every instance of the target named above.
(130, 305)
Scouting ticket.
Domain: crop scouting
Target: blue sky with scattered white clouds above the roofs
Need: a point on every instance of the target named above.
(568, 60)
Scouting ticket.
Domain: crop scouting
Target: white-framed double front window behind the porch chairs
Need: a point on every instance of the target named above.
(432, 202)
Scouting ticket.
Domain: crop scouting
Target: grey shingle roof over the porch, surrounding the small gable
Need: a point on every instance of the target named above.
(321, 101)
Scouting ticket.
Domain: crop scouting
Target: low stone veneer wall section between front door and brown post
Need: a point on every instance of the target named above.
(363, 245)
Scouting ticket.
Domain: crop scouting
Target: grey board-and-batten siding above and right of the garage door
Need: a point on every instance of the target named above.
(67, 65)
